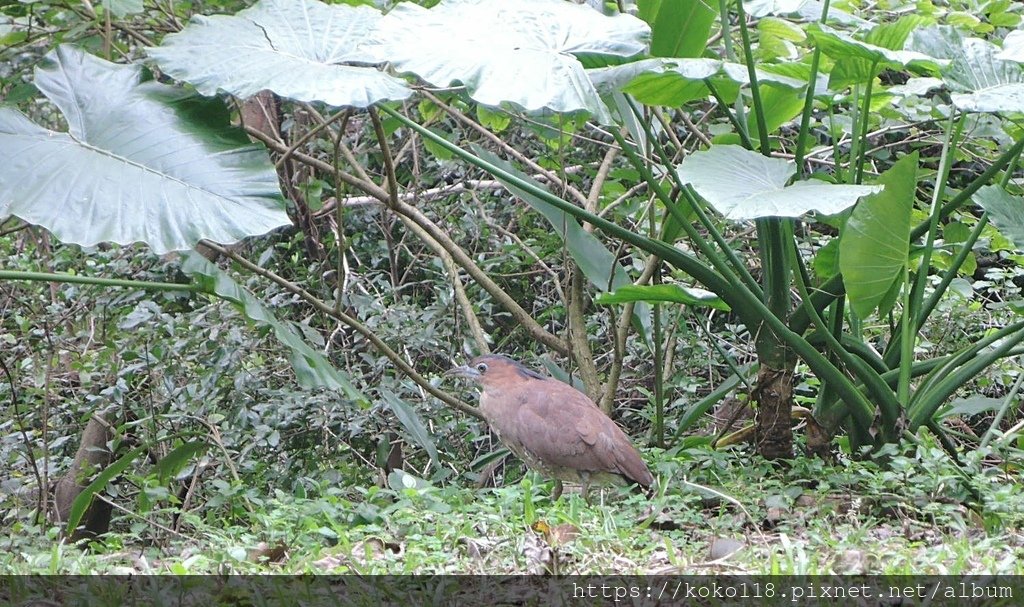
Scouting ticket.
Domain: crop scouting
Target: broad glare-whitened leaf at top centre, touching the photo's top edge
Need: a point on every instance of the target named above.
(524, 53)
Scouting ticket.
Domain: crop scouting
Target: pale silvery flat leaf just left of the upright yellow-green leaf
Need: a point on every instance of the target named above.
(743, 185)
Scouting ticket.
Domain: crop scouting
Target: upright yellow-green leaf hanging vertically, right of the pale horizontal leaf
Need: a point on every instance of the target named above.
(876, 241)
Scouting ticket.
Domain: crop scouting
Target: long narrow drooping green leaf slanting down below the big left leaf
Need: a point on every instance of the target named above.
(312, 369)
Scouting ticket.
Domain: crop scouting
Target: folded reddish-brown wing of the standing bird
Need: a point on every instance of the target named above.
(564, 428)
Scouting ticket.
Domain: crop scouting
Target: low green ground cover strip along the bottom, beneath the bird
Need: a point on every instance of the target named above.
(915, 515)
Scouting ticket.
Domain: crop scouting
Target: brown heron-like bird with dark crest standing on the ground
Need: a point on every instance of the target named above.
(552, 427)
